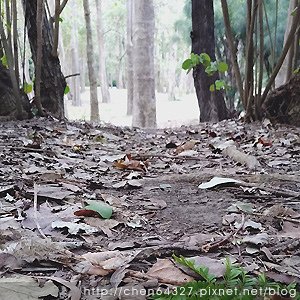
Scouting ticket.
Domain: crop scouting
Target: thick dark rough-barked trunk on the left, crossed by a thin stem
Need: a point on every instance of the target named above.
(53, 82)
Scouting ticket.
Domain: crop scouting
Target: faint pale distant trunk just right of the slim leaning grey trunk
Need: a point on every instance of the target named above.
(102, 65)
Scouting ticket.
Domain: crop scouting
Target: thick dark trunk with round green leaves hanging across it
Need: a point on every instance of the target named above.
(211, 104)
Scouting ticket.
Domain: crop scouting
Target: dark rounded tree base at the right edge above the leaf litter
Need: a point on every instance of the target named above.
(283, 104)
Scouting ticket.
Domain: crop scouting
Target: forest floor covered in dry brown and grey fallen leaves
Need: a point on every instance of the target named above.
(149, 195)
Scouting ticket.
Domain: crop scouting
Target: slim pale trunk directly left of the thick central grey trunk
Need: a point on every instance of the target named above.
(129, 57)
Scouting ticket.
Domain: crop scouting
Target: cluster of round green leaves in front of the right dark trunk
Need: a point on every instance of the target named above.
(211, 67)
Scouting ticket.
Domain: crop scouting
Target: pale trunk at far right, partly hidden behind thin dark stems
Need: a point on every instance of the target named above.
(285, 72)
